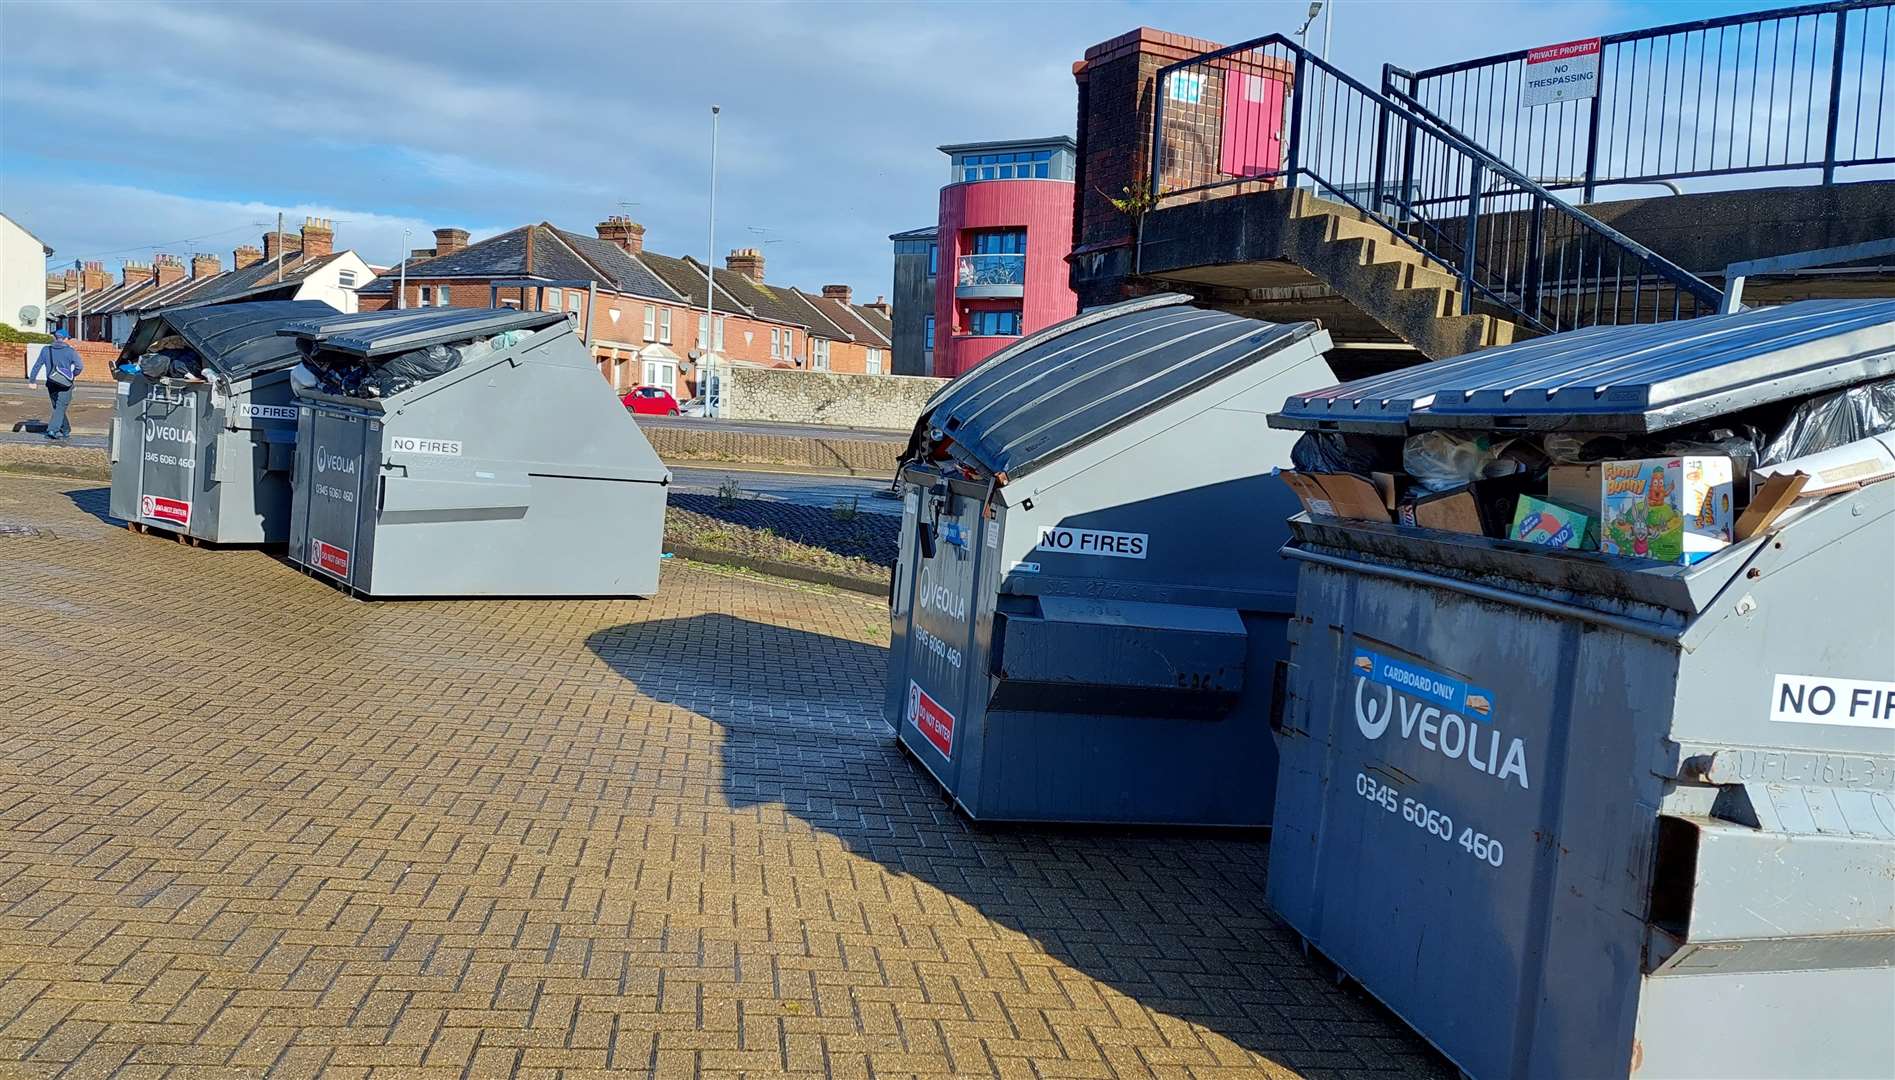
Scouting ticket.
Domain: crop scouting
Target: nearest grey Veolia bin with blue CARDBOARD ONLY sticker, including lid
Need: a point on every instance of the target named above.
(1581, 816)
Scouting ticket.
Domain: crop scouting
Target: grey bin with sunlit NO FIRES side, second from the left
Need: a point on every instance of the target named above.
(518, 473)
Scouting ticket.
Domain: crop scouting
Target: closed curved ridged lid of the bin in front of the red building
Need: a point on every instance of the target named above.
(1091, 376)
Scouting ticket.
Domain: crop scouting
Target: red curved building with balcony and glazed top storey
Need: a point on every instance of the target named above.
(1003, 240)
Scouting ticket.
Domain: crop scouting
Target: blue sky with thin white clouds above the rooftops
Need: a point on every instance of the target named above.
(139, 128)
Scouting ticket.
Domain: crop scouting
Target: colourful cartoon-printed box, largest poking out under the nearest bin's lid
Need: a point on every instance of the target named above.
(1667, 509)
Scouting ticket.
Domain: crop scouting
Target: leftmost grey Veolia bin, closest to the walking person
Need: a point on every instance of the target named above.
(211, 458)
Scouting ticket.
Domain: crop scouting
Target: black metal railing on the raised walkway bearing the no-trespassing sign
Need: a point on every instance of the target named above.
(1796, 88)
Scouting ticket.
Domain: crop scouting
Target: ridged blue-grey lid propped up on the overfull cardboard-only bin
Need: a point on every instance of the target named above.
(1633, 380)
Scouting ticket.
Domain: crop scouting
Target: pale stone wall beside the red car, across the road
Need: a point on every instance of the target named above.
(825, 399)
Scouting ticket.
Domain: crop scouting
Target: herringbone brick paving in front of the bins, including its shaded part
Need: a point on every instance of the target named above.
(255, 829)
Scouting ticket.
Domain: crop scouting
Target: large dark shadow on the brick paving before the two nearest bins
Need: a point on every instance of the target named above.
(1176, 922)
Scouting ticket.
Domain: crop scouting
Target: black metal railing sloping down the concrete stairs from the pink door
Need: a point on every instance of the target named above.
(1271, 115)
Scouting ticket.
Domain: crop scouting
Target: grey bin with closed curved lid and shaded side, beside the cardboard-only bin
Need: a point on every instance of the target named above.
(1089, 600)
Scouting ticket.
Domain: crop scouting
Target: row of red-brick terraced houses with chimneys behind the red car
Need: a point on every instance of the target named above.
(645, 312)
